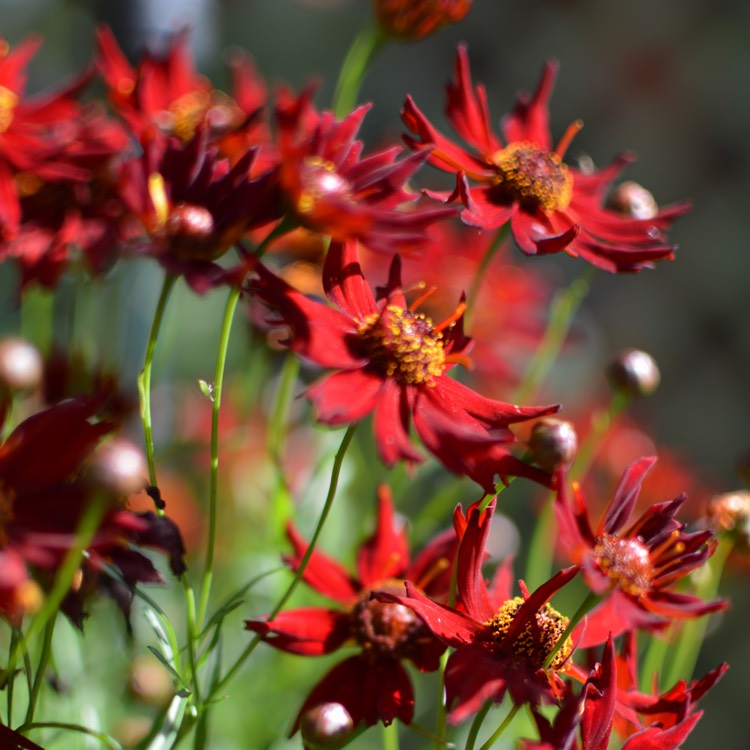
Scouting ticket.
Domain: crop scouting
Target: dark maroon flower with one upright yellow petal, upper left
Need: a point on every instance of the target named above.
(194, 205)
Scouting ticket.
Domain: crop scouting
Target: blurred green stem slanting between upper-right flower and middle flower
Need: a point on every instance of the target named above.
(562, 310)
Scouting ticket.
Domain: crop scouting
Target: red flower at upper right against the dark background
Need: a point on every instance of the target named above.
(521, 178)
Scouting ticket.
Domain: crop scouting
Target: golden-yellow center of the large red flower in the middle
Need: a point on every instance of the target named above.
(403, 345)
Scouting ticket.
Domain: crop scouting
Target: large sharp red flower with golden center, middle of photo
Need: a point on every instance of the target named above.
(393, 363)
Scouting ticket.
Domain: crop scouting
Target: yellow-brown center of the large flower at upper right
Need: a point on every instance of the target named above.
(535, 178)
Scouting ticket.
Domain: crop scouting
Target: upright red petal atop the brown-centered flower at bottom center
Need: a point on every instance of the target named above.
(386, 553)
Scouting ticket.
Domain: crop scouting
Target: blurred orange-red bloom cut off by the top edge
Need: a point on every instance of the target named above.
(416, 19)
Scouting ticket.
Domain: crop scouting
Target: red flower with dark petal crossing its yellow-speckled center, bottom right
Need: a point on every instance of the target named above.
(502, 641)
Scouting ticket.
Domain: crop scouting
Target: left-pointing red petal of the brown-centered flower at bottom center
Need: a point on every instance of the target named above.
(310, 631)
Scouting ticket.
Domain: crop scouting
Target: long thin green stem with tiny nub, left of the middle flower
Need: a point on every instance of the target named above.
(218, 386)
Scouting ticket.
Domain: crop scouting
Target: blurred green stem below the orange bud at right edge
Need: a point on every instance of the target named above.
(684, 653)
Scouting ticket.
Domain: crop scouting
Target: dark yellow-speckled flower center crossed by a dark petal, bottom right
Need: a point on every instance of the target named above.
(534, 643)
